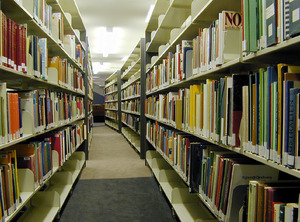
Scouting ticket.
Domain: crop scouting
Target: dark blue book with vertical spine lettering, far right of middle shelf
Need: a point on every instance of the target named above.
(292, 127)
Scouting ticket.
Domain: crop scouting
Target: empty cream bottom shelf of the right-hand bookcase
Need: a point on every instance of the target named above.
(187, 206)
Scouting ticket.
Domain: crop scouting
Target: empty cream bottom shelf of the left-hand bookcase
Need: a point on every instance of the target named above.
(45, 205)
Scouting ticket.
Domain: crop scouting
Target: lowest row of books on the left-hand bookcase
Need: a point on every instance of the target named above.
(37, 156)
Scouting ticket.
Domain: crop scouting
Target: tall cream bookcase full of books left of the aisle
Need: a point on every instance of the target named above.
(46, 120)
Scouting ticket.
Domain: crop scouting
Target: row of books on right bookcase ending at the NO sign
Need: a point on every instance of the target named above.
(212, 47)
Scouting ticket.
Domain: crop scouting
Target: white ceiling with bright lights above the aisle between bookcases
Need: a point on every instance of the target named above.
(126, 17)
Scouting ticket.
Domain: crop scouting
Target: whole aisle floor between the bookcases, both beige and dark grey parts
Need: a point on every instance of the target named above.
(115, 185)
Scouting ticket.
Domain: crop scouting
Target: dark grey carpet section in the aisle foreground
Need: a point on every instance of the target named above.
(114, 200)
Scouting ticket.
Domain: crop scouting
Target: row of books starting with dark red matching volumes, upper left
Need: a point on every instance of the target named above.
(29, 53)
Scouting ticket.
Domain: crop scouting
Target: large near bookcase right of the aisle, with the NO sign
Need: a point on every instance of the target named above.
(183, 107)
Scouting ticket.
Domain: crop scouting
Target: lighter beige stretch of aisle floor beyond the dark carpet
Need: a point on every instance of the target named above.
(111, 156)
